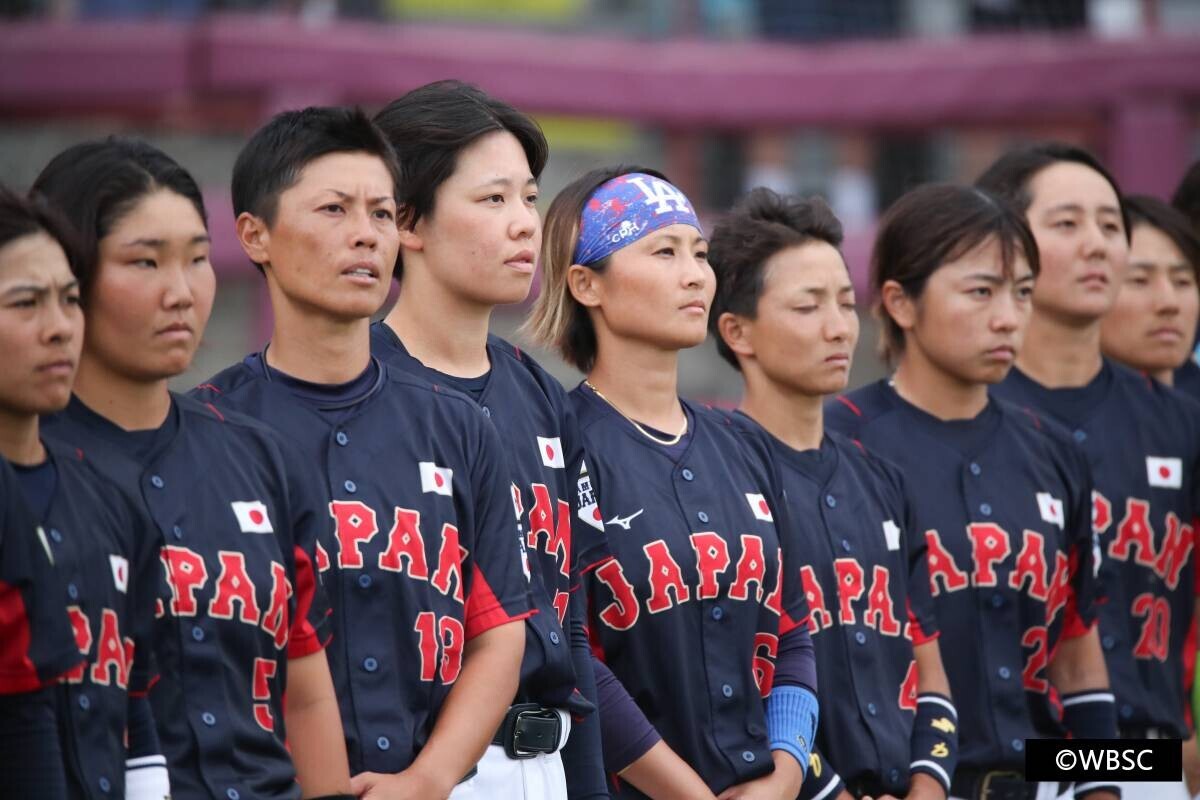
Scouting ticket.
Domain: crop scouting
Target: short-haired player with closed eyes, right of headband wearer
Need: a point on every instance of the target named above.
(784, 316)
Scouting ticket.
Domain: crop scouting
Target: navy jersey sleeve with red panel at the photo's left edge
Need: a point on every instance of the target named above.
(37, 640)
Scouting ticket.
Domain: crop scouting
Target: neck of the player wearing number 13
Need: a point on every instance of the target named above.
(319, 348)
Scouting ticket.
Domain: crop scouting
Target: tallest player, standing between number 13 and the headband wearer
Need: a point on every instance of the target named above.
(469, 242)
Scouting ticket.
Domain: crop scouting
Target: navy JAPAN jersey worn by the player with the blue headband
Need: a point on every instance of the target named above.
(691, 611)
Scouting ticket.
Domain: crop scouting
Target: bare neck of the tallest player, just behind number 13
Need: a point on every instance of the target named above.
(440, 330)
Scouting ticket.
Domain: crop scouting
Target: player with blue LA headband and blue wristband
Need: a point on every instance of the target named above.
(697, 616)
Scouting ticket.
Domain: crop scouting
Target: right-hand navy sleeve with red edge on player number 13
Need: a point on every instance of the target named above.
(499, 585)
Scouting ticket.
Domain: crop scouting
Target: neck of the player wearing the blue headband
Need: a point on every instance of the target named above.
(643, 383)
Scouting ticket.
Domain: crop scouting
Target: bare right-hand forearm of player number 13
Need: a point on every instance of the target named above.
(477, 705)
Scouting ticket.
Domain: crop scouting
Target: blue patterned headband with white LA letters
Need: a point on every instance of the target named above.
(627, 209)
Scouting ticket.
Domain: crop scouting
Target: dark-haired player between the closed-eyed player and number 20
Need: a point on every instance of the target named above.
(1001, 497)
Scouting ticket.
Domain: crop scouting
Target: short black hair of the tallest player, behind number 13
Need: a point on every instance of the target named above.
(431, 125)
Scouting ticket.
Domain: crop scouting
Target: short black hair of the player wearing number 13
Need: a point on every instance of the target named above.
(278, 153)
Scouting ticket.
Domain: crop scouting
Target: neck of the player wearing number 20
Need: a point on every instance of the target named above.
(1059, 354)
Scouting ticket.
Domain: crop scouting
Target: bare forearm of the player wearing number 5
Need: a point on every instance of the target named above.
(315, 729)
